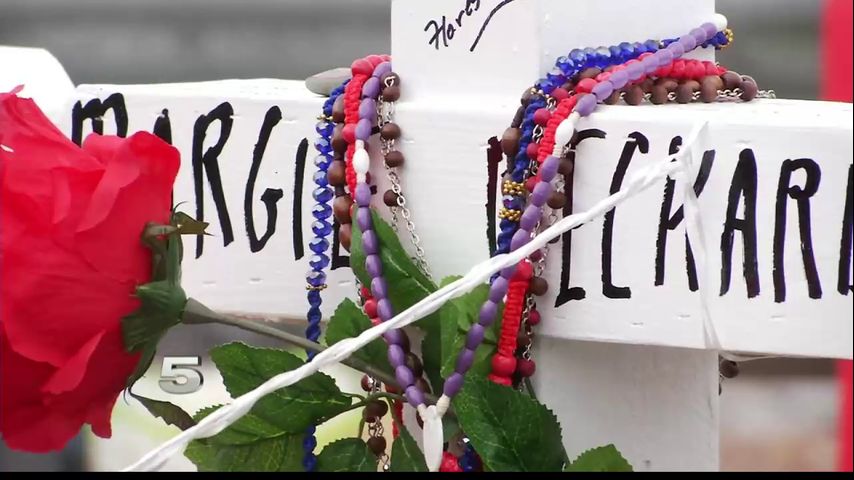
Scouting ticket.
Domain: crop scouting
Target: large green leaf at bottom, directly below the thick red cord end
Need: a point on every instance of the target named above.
(508, 429)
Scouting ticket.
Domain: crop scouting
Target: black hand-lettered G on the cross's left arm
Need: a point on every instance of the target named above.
(270, 196)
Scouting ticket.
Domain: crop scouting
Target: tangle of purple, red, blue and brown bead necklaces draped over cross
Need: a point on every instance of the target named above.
(536, 148)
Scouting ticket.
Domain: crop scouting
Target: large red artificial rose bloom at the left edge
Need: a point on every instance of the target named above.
(70, 259)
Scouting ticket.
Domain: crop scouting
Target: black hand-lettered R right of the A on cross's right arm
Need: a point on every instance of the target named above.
(802, 196)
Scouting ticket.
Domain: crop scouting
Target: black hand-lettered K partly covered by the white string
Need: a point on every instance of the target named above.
(668, 223)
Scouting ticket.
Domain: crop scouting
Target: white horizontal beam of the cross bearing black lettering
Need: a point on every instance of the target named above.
(447, 145)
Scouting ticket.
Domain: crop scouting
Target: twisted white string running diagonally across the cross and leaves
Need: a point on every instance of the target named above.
(479, 274)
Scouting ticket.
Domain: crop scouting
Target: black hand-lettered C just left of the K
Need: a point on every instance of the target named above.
(636, 142)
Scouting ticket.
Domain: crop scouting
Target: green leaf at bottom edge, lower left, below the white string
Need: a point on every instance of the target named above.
(248, 445)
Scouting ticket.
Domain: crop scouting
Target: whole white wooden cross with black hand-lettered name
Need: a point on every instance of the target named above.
(623, 354)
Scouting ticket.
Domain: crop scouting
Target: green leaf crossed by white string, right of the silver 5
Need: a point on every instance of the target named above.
(291, 409)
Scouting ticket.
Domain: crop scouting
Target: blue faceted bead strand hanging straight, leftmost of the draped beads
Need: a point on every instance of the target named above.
(319, 245)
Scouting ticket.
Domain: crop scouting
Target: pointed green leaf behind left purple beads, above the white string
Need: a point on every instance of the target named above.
(407, 285)
